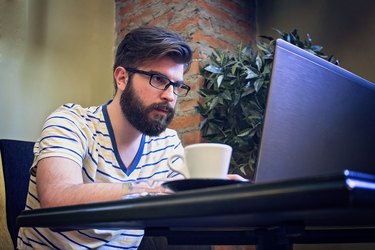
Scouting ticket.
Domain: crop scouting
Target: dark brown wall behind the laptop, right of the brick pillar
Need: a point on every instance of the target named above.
(345, 28)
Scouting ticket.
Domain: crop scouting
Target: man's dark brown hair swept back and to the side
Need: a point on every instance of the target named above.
(148, 44)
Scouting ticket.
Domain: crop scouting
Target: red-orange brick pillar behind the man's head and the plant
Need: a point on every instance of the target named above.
(205, 24)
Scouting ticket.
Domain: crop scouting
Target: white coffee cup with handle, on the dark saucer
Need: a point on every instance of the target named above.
(203, 161)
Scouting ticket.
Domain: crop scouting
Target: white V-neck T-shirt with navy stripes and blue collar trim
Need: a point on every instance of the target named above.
(85, 135)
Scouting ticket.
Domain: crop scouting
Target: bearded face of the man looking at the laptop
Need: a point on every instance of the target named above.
(147, 109)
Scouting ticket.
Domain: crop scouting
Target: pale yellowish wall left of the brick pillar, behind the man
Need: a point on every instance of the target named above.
(52, 52)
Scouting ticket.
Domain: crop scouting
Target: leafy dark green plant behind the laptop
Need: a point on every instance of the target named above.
(234, 96)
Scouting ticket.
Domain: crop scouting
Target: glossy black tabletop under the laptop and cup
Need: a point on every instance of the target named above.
(341, 202)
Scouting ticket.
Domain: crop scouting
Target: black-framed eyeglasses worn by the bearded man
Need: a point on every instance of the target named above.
(162, 82)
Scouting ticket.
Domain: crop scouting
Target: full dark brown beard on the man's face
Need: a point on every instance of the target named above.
(139, 115)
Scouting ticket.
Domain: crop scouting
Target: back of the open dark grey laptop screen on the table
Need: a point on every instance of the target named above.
(319, 119)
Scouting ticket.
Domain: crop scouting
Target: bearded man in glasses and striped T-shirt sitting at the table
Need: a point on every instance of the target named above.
(101, 153)
